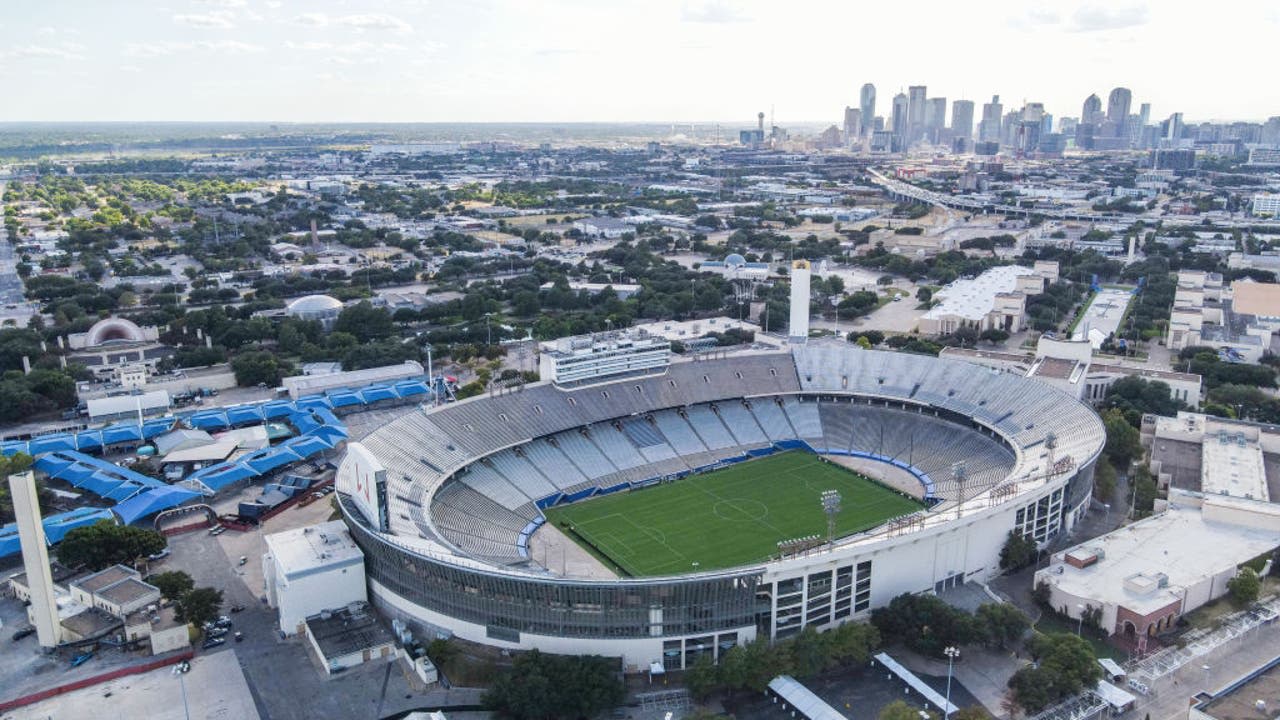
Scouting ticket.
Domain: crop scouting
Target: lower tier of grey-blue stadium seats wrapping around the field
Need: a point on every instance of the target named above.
(487, 509)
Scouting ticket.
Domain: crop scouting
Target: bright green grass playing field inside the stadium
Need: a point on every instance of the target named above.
(726, 518)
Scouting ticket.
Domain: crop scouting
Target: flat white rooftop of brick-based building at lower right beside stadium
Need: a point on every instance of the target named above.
(1148, 566)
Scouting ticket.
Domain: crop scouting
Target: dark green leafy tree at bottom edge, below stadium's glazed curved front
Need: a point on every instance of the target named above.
(556, 686)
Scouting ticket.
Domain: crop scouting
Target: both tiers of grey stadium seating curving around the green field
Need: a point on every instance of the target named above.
(563, 445)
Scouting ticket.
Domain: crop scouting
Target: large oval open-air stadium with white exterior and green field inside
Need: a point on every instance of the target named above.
(703, 494)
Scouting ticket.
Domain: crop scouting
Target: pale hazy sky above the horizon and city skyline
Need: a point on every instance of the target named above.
(450, 61)
